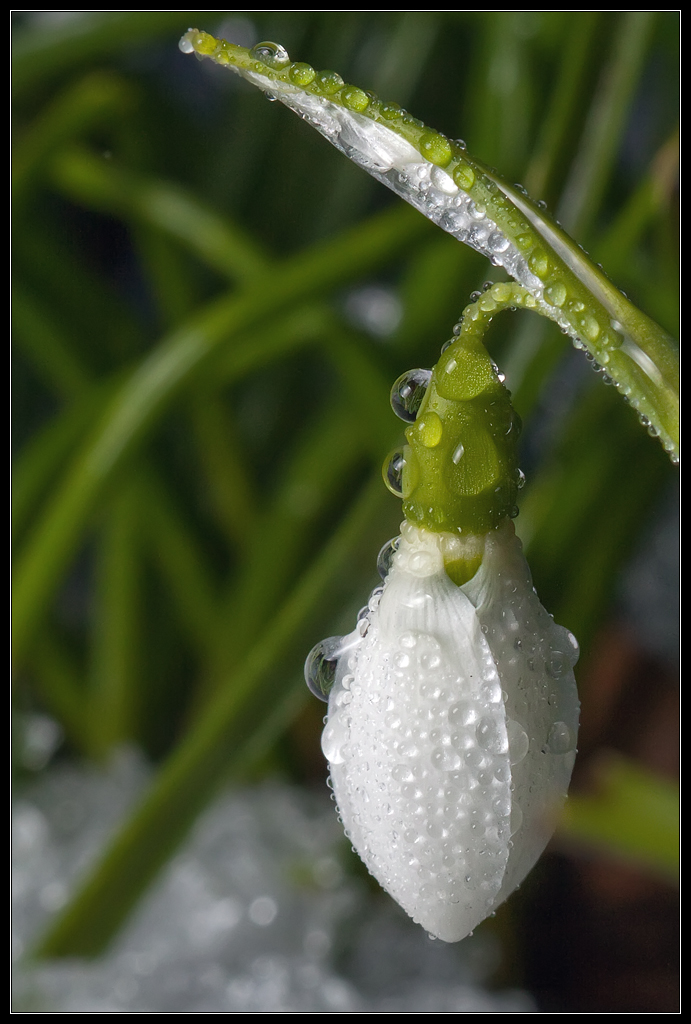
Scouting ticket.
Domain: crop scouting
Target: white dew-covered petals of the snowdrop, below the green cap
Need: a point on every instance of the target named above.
(452, 732)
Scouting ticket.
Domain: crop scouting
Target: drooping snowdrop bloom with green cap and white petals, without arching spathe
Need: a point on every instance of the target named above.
(453, 708)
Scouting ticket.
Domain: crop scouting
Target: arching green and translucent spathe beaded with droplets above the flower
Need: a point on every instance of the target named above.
(398, 149)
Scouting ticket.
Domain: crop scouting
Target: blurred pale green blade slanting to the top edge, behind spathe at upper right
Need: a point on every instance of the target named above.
(585, 189)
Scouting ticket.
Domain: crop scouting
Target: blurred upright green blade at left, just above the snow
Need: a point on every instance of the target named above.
(115, 641)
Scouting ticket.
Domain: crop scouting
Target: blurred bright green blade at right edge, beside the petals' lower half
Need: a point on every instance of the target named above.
(633, 816)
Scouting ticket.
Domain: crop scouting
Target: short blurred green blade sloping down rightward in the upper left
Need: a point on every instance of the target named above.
(102, 186)
